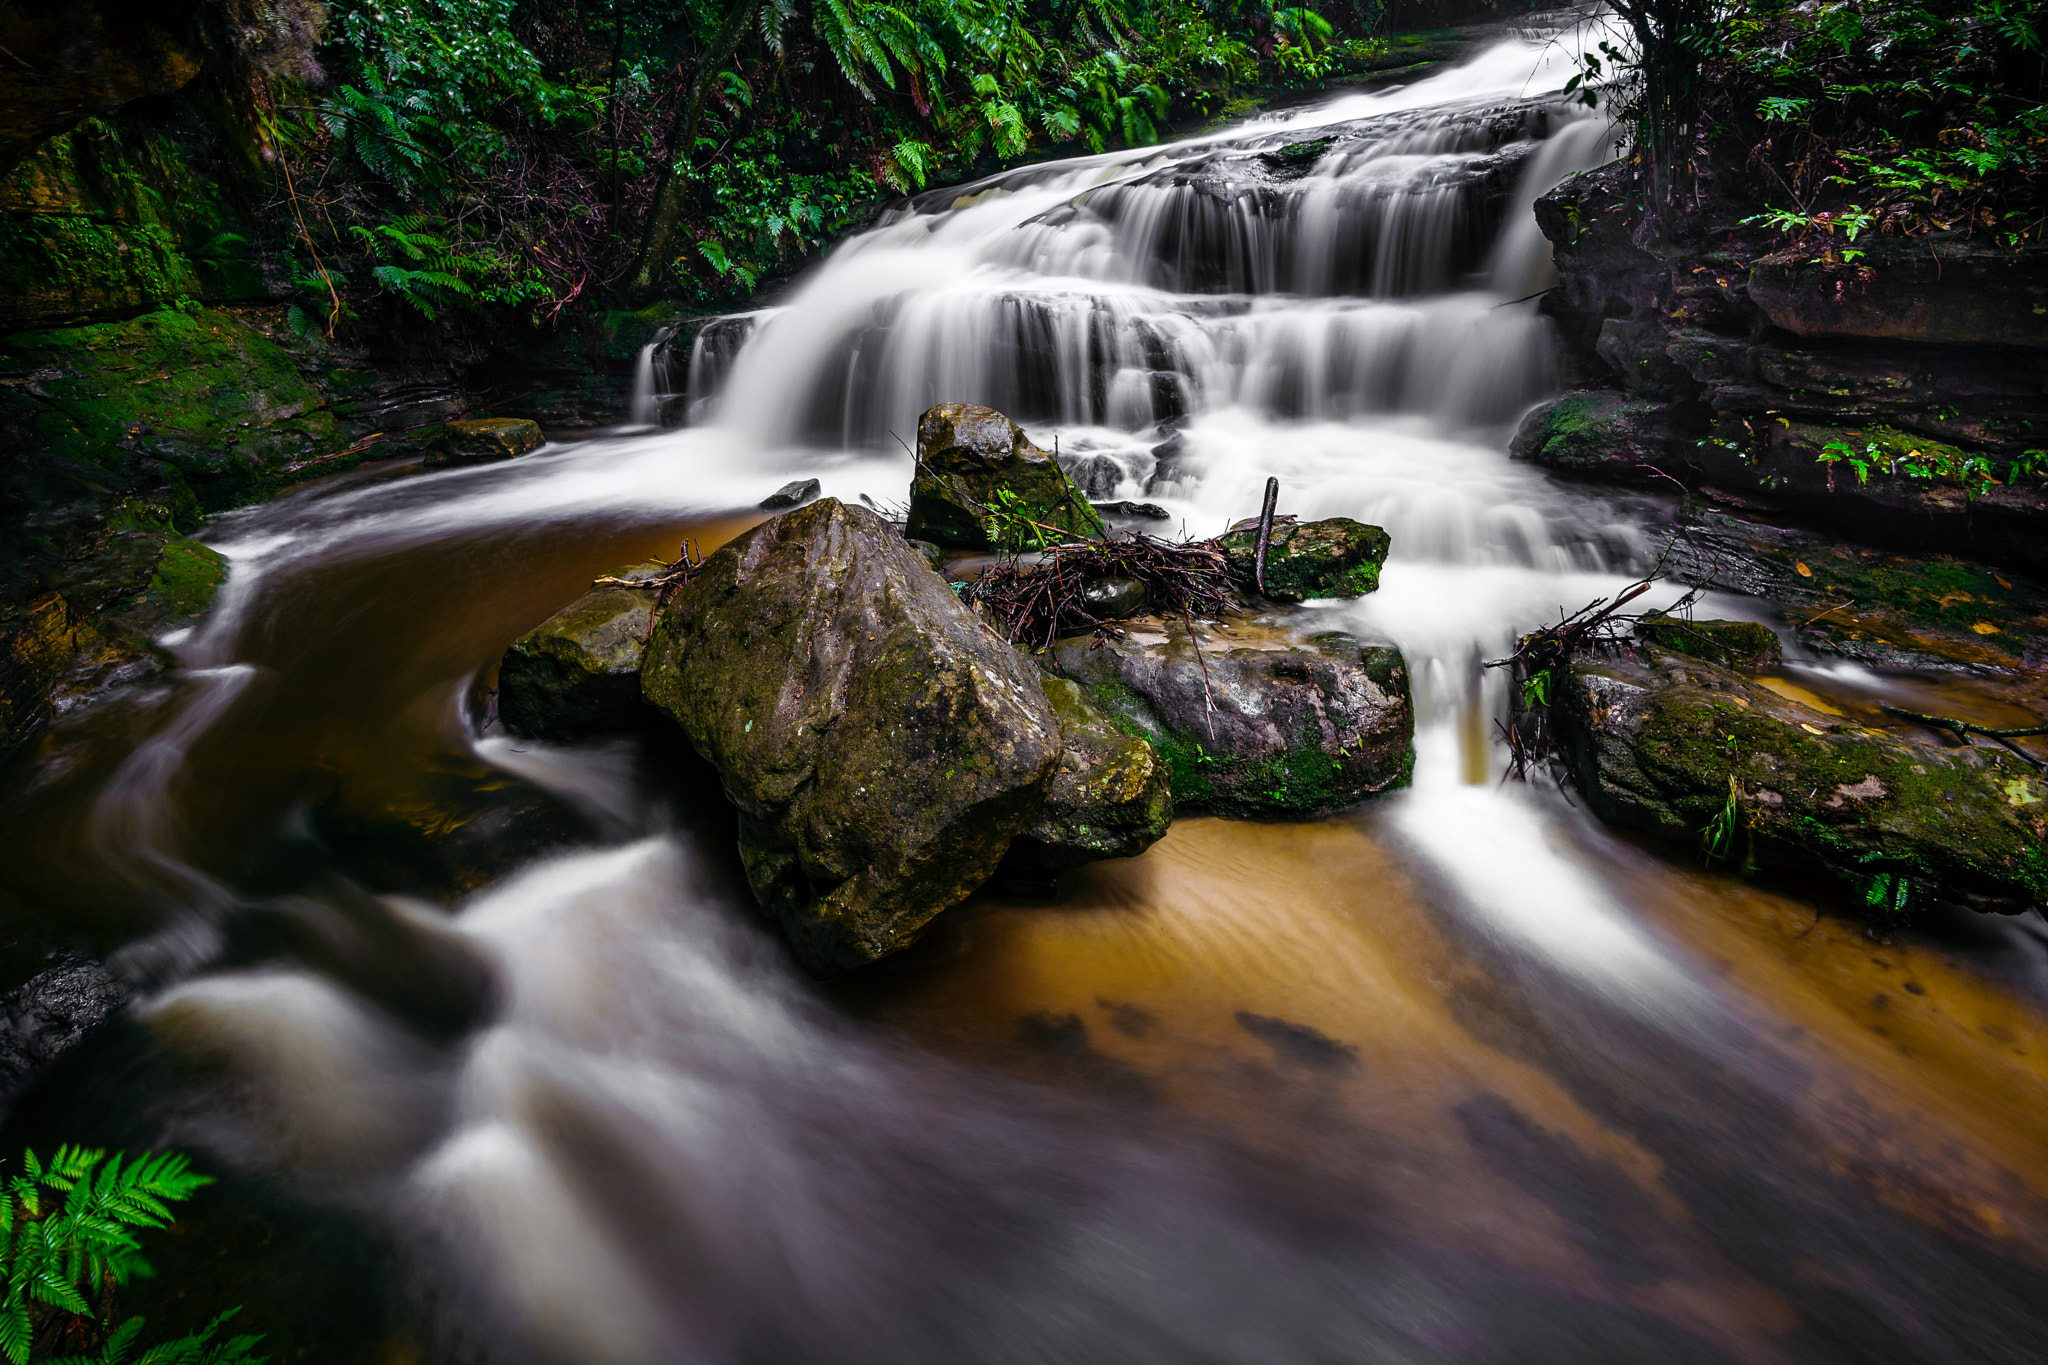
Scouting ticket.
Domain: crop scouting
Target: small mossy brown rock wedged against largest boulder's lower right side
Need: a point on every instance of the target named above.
(1109, 797)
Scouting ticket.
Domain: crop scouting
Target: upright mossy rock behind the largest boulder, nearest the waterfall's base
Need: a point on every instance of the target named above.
(976, 464)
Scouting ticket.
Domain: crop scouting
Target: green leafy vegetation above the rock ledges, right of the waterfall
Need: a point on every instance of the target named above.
(1846, 118)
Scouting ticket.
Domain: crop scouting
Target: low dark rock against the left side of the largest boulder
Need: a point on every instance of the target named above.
(577, 674)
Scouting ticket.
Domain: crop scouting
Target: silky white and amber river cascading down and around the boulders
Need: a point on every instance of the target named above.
(1451, 1077)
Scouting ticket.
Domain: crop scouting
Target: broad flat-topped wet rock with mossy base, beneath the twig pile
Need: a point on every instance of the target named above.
(1302, 725)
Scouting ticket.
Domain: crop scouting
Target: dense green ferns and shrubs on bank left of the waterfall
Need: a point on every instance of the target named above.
(472, 157)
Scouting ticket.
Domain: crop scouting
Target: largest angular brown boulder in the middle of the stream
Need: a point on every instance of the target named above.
(882, 744)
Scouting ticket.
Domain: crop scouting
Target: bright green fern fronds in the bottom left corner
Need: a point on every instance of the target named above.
(69, 1241)
